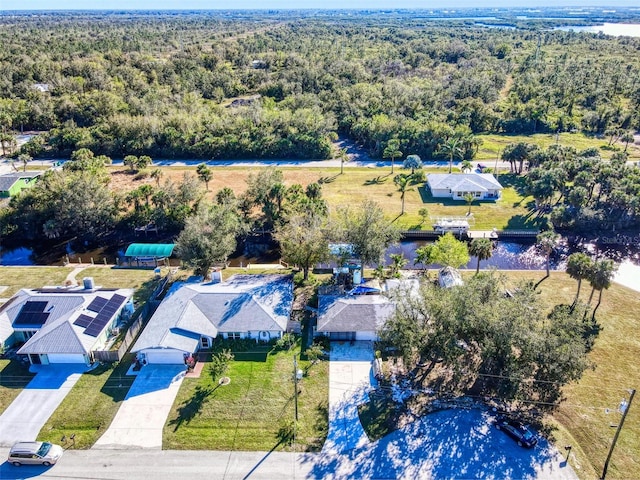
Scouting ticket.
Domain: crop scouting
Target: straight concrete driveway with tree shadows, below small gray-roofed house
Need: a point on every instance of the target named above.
(350, 379)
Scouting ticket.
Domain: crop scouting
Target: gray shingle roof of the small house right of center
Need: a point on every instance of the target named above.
(355, 313)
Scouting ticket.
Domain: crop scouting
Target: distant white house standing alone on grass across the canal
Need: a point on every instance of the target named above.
(483, 186)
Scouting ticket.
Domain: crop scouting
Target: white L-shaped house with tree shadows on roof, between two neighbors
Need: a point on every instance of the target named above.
(193, 314)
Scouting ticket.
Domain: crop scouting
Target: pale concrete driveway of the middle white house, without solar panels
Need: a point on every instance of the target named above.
(143, 413)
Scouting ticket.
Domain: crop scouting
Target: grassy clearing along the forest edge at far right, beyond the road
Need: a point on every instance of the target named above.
(492, 145)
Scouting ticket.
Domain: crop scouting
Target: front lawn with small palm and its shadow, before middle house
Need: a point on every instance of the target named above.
(255, 411)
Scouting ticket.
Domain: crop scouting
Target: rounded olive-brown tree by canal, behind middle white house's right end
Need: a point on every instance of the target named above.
(303, 241)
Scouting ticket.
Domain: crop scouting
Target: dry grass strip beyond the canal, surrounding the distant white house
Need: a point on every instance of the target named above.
(359, 184)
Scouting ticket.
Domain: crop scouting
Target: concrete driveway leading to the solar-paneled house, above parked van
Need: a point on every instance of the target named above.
(27, 414)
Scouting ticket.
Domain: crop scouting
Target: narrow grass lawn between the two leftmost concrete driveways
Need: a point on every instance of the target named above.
(89, 408)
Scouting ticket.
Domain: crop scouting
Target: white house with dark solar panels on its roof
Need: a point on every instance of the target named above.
(65, 325)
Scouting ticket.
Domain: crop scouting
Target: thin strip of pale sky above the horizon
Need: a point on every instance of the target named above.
(292, 4)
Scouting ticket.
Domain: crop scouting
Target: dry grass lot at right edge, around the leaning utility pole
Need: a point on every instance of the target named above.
(582, 418)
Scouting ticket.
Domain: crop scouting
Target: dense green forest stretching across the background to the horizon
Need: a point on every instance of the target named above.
(162, 84)
